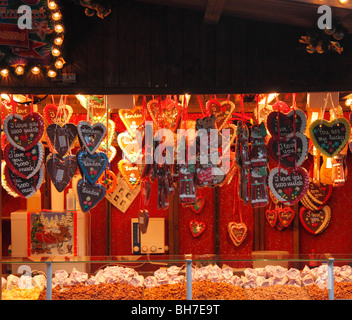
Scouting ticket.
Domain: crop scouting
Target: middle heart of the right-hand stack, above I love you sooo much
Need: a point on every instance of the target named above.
(293, 149)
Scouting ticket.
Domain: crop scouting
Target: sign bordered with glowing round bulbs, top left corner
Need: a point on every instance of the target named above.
(35, 50)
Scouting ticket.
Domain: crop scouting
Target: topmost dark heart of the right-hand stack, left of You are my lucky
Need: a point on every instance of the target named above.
(278, 122)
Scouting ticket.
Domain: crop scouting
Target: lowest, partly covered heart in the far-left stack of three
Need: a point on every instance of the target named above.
(25, 188)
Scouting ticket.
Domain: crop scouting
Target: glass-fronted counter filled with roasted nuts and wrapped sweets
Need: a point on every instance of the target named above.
(164, 277)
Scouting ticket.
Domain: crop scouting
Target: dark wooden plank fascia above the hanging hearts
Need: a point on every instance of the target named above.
(142, 48)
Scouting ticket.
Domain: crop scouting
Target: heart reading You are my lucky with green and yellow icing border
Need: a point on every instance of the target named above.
(330, 137)
